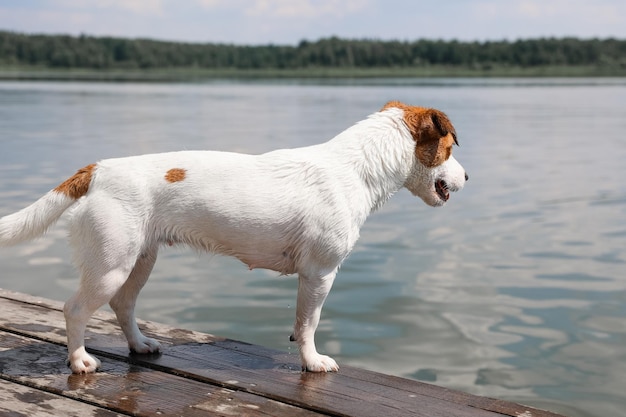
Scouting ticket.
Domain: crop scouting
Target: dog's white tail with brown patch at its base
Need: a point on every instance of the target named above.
(34, 220)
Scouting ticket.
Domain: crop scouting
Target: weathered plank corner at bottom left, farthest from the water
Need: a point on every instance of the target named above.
(20, 400)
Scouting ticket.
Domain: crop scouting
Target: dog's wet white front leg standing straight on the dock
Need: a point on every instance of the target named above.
(312, 292)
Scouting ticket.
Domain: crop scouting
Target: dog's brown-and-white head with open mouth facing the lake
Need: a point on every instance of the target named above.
(435, 172)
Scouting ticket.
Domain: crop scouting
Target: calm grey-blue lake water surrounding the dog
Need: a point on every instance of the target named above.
(516, 289)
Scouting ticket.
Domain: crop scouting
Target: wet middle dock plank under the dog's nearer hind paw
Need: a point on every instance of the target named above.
(124, 388)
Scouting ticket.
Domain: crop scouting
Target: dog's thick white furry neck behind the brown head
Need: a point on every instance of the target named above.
(383, 150)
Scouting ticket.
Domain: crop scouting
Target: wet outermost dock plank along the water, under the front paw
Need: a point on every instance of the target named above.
(260, 371)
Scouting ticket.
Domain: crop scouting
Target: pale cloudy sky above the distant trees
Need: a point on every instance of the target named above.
(287, 22)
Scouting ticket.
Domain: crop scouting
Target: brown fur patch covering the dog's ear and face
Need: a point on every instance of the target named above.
(432, 131)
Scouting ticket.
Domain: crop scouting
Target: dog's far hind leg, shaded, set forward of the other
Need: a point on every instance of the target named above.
(123, 303)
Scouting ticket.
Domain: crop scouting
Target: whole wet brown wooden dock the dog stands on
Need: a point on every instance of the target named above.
(196, 375)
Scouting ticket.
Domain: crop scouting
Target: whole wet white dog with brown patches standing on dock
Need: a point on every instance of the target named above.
(291, 211)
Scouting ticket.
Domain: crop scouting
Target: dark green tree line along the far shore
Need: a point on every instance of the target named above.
(62, 51)
